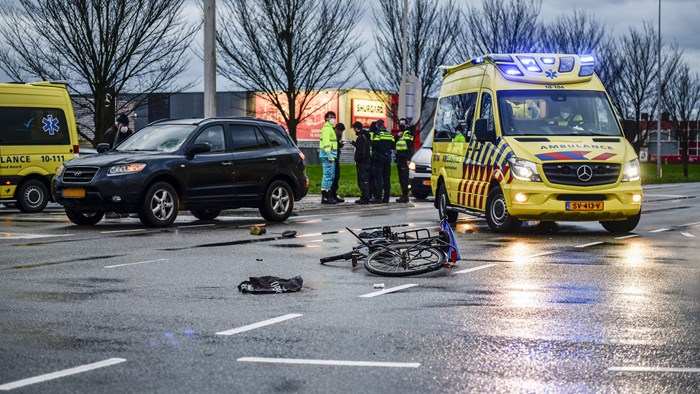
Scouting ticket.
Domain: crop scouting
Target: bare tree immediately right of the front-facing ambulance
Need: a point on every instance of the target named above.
(638, 79)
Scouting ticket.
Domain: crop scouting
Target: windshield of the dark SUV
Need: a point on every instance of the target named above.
(162, 138)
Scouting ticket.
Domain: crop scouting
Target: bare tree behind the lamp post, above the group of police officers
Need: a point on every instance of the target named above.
(432, 31)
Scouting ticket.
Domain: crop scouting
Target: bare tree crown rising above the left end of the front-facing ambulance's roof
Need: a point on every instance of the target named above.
(500, 27)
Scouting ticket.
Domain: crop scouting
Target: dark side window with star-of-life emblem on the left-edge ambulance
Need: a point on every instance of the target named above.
(33, 126)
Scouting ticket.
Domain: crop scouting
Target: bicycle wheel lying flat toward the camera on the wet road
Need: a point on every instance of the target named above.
(404, 260)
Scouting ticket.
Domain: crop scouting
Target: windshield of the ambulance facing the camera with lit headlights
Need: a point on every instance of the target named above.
(561, 112)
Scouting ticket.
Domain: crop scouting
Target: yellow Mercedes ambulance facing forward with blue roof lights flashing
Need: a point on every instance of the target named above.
(522, 137)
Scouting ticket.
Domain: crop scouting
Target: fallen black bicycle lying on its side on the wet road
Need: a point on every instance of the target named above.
(403, 253)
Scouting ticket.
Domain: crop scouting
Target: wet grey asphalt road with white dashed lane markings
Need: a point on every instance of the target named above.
(576, 310)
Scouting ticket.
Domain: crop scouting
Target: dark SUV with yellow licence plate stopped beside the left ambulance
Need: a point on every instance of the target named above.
(202, 165)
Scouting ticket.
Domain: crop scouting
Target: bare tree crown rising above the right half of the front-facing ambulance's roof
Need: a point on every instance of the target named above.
(577, 33)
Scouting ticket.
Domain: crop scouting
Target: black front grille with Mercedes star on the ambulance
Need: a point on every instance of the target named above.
(581, 174)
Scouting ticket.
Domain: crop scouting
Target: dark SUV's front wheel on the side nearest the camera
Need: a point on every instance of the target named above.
(160, 206)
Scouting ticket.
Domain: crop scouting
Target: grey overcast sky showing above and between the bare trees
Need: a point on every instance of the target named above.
(680, 23)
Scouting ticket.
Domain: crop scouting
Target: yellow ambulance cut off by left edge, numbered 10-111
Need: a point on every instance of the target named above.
(37, 134)
